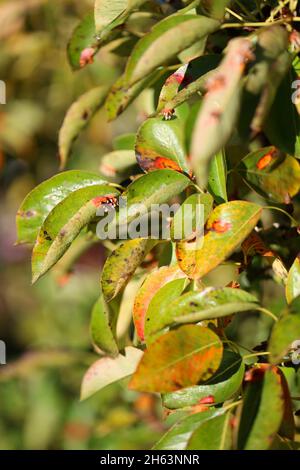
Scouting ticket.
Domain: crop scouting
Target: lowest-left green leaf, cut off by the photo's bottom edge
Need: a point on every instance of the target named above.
(178, 436)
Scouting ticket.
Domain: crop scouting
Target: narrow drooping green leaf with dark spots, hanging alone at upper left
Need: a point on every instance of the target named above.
(77, 118)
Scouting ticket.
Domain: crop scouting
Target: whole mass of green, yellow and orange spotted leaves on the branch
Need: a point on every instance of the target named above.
(210, 77)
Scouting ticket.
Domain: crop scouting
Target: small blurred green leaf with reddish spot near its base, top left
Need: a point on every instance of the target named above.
(82, 39)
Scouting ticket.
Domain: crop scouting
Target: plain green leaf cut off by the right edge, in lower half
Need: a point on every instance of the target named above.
(283, 334)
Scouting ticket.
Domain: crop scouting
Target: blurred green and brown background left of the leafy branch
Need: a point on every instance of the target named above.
(45, 327)
